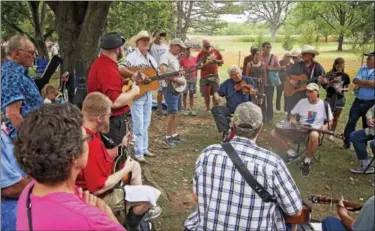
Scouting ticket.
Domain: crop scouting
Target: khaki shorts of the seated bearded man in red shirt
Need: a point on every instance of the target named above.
(116, 201)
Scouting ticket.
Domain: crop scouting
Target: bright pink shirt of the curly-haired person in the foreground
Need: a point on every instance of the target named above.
(61, 211)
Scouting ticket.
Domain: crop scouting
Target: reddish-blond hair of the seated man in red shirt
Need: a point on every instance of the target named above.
(96, 104)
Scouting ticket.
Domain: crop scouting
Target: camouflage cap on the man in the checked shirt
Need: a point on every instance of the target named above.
(248, 116)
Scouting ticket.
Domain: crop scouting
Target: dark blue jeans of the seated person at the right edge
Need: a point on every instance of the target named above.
(359, 140)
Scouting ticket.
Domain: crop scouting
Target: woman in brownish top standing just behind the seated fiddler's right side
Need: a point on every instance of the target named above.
(255, 69)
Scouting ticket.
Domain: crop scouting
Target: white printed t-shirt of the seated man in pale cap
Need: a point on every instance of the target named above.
(312, 114)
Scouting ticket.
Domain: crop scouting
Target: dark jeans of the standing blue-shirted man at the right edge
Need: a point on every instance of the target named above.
(359, 109)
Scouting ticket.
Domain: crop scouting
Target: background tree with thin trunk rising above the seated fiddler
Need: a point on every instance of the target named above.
(273, 13)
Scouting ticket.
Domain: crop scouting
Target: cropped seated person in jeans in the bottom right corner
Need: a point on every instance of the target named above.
(365, 221)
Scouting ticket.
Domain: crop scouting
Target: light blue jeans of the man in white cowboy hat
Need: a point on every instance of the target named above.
(141, 117)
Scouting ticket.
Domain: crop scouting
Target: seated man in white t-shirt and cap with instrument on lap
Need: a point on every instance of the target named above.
(312, 112)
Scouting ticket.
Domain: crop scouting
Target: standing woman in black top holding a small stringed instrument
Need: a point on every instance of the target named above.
(336, 83)
